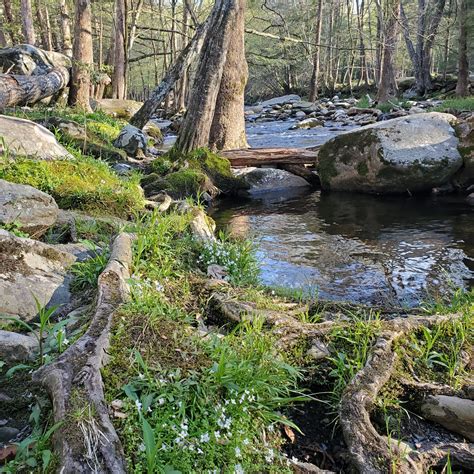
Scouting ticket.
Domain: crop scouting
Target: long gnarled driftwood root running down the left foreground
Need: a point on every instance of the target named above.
(86, 440)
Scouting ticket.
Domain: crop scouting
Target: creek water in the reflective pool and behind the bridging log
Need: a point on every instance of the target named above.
(352, 247)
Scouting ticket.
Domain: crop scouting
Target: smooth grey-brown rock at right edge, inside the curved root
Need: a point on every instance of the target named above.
(455, 414)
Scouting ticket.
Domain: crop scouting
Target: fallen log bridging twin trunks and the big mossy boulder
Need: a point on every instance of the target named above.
(270, 156)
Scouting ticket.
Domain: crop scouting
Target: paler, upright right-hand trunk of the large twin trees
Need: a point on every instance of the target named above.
(228, 125)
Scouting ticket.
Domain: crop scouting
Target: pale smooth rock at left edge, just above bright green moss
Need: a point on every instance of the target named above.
(28, 139)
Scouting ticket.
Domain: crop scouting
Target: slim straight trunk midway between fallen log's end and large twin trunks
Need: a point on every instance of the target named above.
(119, 74)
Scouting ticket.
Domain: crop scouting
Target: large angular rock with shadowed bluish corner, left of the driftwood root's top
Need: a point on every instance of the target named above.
(30, 268)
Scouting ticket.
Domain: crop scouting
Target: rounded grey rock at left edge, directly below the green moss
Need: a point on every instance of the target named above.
(33, 210)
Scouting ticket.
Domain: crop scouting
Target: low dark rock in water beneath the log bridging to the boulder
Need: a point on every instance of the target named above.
(264, 180)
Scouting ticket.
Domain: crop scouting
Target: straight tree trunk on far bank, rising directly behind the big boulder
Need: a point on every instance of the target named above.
(388, 85)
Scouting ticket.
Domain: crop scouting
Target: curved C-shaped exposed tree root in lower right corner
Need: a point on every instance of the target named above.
(371, 452)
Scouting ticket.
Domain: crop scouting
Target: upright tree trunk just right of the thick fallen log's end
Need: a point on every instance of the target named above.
(82, 56)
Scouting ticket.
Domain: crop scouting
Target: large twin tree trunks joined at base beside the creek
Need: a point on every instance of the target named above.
(215, 115)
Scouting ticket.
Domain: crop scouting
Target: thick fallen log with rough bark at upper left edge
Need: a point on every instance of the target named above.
(23, 90)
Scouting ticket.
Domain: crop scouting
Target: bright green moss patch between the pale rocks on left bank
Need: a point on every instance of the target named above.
(81, 183)
